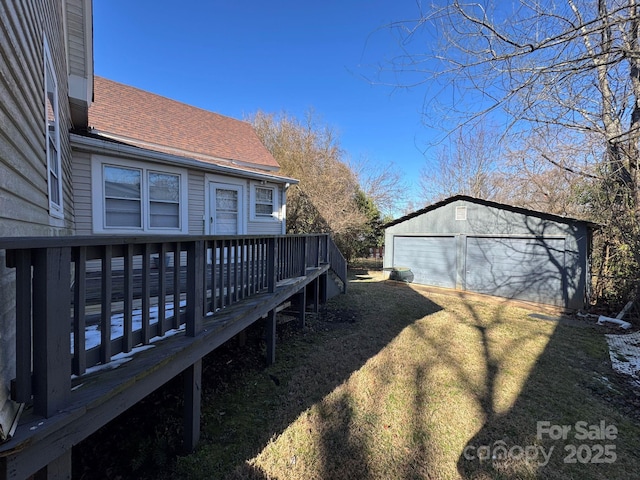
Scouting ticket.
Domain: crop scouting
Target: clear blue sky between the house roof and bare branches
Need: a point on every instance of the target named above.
(236, 58)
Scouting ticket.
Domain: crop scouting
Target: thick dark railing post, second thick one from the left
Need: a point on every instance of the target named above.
(195, 287)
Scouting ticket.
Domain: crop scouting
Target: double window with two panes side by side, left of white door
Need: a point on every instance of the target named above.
(138, 197)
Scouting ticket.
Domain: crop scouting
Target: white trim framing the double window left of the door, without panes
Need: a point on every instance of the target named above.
(98, 195)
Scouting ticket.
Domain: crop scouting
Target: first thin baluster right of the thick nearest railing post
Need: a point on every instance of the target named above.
(79, 311)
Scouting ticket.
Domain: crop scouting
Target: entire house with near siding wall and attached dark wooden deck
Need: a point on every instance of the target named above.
(98, 180)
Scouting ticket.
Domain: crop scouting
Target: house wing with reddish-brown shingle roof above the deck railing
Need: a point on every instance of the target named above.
(147, 164)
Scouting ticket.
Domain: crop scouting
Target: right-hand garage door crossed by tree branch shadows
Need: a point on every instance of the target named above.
(525, 269)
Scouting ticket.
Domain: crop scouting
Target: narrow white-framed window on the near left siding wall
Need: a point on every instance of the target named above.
(55, 209)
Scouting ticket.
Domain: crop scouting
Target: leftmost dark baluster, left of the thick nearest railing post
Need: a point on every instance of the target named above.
(23, 325)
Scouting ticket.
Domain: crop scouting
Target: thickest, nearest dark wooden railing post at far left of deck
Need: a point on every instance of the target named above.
(51, 328)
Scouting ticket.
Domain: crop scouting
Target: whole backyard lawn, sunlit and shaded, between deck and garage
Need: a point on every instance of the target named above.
(392, 381)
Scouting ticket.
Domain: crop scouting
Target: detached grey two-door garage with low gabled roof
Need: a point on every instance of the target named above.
(487, 247)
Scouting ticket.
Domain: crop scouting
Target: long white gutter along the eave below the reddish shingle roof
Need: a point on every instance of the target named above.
(97, 145)
